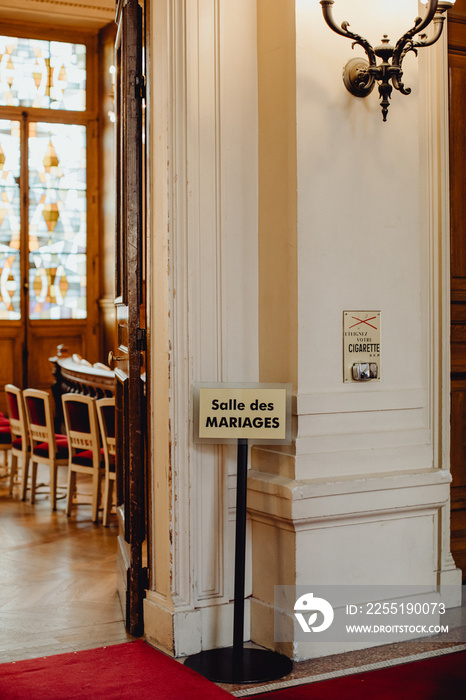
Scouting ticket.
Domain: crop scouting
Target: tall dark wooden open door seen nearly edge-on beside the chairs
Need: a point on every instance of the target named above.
(130, 313)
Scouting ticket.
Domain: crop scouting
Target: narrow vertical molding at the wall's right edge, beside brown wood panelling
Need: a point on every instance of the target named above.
(435, 228)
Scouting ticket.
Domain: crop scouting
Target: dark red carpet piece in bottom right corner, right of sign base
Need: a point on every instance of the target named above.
(437, 678)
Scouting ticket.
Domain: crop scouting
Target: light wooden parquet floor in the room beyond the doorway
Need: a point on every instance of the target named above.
(57, 578)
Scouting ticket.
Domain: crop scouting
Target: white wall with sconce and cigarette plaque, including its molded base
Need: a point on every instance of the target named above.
(362, 495)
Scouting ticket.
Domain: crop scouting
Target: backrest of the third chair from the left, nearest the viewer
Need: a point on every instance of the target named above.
(81, 425)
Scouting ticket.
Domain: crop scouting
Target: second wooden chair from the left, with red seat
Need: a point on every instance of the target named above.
(46, 447)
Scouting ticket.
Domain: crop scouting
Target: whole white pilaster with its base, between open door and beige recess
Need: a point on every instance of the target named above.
(206, 172)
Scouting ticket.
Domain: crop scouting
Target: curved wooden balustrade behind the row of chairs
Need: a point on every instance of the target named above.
(76, 375)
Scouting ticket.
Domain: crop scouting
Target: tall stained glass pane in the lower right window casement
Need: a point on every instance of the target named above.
(57, 221)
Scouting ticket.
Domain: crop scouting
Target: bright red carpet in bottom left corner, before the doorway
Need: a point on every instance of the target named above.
(124, 671)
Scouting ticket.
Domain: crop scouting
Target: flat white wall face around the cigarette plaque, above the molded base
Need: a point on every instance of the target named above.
(358, 226)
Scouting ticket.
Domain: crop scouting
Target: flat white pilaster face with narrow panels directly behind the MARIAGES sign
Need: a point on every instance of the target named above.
(221, 259)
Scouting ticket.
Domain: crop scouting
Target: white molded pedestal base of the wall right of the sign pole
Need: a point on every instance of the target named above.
(383, 530)
